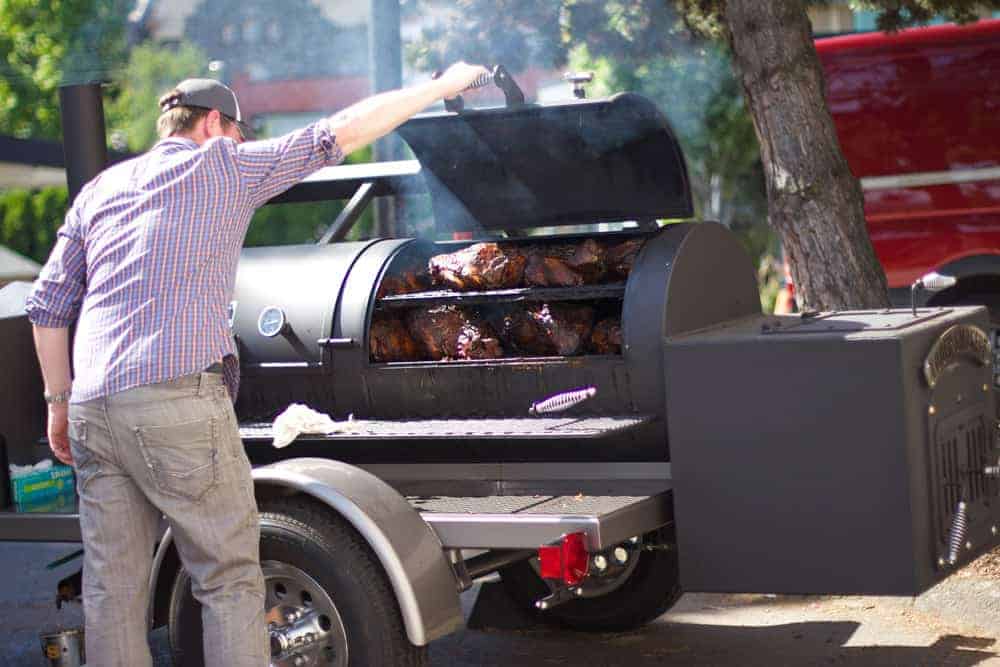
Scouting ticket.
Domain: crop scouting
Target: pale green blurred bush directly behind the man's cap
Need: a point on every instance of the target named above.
(151, 71)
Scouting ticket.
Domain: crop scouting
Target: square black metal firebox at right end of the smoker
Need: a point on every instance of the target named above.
(811, 462)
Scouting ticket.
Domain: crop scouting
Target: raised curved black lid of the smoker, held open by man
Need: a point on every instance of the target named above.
(581, 162)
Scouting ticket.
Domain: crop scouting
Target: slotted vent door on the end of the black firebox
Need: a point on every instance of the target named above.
(961, 450)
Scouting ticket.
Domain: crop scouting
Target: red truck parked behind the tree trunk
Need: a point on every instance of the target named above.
(918, 116)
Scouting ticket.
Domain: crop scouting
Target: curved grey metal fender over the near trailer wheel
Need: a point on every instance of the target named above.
(408, 549)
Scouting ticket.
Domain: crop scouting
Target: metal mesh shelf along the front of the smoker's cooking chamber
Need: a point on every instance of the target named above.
(528, 428)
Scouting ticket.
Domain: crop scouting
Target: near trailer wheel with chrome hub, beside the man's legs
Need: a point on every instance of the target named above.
(321, 577)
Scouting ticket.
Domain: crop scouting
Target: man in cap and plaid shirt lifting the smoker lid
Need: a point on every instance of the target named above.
(147, 260)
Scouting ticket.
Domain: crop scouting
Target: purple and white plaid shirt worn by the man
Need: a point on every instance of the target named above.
(147, 256)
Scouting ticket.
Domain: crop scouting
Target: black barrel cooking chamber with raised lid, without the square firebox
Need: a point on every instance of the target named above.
(497, 173)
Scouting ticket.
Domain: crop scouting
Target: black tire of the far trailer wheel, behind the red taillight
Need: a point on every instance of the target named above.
(649, 590)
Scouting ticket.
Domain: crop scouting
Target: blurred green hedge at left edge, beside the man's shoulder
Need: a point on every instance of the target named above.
(29, 220)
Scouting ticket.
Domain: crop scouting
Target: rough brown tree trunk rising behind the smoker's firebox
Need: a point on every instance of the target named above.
(814, 201)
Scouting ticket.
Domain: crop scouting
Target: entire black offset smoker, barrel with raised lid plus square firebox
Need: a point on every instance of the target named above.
(807, 454)
